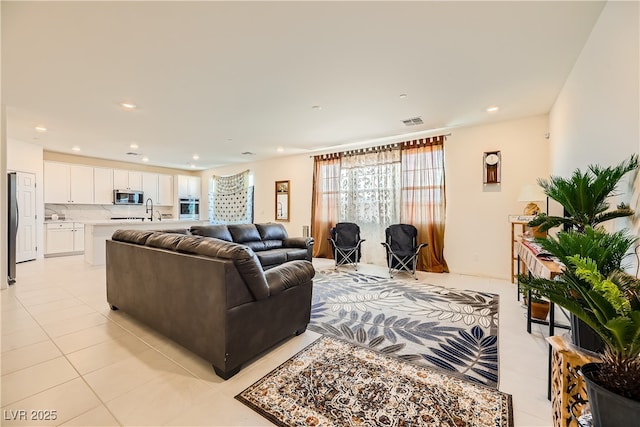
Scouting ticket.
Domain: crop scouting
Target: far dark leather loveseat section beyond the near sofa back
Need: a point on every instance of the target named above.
(270, 241)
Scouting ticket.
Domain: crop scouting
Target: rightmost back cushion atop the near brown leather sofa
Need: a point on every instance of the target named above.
(244, 259)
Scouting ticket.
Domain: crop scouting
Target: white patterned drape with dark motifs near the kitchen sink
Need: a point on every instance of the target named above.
(231, 199)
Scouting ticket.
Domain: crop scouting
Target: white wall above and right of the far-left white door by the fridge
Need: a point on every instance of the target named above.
(27, 157)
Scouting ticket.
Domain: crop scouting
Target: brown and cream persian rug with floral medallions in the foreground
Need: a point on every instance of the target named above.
(336, 383)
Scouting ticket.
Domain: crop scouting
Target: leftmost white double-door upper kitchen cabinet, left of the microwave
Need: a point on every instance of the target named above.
(67, 183)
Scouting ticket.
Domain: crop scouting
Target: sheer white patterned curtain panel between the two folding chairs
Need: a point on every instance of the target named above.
(370, 197)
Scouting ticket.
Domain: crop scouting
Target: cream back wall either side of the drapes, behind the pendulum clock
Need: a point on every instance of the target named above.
(478, 235)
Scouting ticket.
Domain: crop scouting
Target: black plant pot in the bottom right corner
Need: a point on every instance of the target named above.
(607, 408)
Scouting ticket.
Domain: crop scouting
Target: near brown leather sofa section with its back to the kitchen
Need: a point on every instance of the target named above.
(208, 295)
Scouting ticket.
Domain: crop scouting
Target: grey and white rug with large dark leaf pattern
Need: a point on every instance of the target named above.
(454, 330)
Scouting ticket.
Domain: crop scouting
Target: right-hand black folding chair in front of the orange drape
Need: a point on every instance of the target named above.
(402, 248)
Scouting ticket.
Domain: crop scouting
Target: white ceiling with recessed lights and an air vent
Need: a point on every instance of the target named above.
(221, 78)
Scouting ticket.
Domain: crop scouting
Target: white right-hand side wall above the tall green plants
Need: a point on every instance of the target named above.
(596, 117)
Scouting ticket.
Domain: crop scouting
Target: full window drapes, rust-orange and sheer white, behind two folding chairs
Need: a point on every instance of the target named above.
(379, 187)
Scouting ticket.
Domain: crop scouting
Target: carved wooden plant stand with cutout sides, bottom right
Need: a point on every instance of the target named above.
(568, 388)
